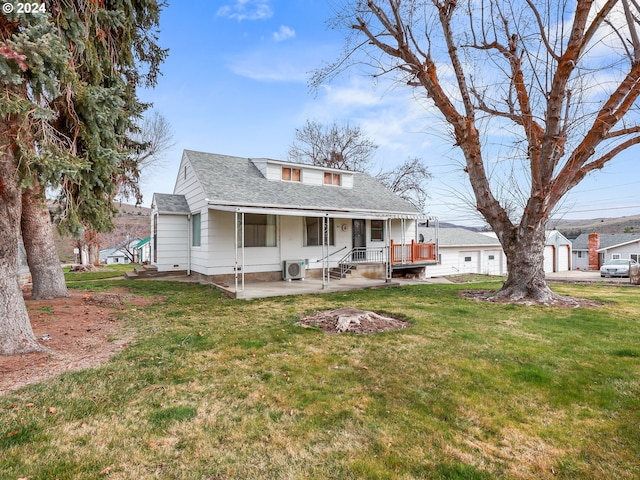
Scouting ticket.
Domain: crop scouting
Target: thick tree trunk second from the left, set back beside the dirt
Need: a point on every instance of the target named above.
(42, 254)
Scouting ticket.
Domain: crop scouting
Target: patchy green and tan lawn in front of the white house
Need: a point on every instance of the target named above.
(220, 389)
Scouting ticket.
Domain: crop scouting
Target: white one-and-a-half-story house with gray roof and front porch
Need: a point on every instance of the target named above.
(229, 217)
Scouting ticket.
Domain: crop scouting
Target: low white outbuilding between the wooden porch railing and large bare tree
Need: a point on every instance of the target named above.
(464, 251)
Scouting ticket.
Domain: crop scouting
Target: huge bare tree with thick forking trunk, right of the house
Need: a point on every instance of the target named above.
(557, 81)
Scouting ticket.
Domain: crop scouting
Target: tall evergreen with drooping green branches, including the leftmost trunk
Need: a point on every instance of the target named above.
(68, 80)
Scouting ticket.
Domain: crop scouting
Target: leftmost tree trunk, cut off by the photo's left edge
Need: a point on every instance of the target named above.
(16, 335)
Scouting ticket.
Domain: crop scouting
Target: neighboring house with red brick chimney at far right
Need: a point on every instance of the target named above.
(591, 250)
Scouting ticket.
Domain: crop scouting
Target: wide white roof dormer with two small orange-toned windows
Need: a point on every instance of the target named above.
(275, 170)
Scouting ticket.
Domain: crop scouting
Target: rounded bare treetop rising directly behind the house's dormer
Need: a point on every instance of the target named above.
(344, 147)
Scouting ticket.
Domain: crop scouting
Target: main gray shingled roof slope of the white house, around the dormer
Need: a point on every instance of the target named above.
(237, 181)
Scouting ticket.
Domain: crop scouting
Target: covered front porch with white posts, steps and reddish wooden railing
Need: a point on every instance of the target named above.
(395, 250)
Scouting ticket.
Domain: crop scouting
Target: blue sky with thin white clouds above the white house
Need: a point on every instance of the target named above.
(236, 83)
